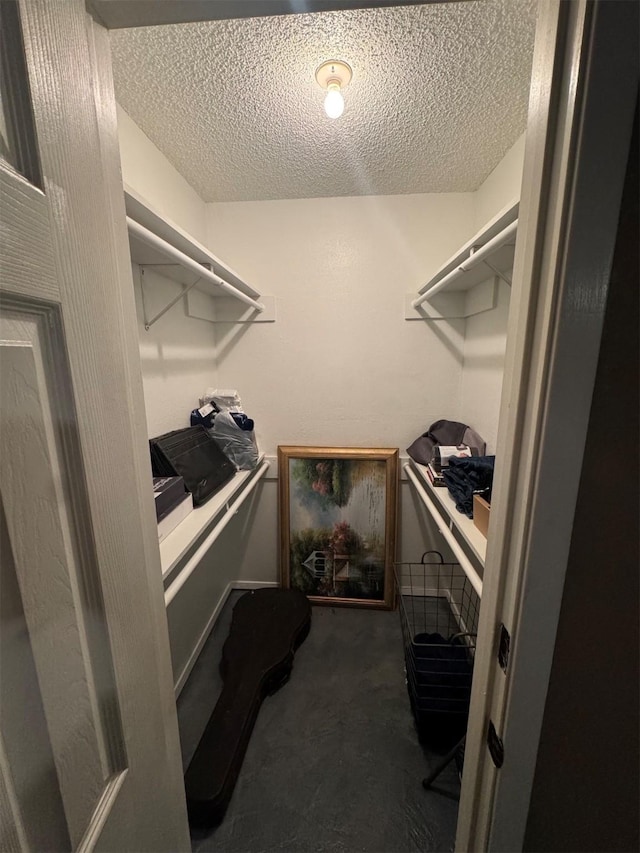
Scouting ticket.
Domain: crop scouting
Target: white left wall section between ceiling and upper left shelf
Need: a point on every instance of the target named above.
(147, 170)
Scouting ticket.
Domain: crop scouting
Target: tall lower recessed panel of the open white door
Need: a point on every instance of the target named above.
(59, 587)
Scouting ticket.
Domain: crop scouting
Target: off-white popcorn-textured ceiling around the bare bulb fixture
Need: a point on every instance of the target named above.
(439, 93)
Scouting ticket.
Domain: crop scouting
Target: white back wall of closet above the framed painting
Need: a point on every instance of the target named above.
(341, 366)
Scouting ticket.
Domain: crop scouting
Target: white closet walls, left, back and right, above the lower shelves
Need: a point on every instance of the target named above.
(342, 365)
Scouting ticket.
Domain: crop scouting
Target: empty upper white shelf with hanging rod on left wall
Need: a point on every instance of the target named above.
(141, 211)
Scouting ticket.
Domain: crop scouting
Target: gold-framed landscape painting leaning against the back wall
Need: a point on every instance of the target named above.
(338, 523)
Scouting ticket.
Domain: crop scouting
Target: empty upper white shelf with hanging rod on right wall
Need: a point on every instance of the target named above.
(501, 259)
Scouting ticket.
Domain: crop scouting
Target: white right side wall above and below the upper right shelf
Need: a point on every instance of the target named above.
(486, 334)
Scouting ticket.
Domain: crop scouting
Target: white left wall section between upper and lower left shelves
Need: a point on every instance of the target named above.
(177, 355)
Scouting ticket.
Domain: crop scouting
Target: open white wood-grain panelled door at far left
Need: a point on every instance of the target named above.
(89, 751)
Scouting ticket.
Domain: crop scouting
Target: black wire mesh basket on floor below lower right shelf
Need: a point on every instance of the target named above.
(439, 618)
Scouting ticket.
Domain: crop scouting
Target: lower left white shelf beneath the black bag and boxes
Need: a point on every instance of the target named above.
(200, 522)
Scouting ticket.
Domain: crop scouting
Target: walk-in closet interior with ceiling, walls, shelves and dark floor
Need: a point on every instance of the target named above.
(355, 323)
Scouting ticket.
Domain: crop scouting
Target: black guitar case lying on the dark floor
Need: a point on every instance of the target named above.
(267, 627)
